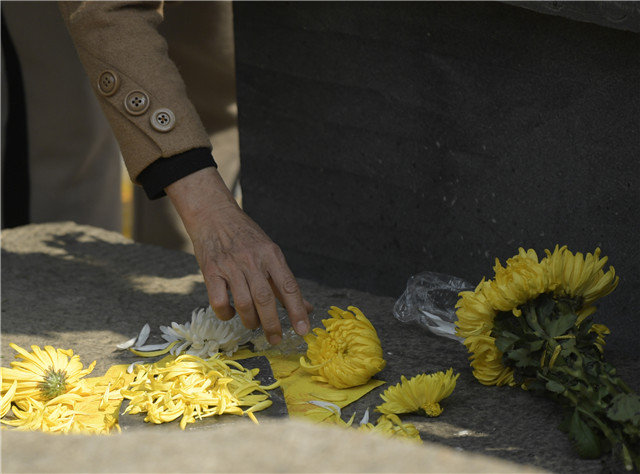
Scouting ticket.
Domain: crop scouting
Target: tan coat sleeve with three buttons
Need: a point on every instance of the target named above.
(138, 86)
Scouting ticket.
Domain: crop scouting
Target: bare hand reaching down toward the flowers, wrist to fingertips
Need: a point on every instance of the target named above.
(235, 254)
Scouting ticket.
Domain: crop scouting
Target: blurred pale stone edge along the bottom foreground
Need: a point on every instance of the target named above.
(270, 447)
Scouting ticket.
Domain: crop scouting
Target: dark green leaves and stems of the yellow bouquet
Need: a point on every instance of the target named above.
(603, 412)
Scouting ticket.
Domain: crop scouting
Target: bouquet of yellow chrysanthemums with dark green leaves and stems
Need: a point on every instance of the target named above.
(533, 326)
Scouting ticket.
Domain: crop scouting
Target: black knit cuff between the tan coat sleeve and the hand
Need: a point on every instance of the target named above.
(165, 171)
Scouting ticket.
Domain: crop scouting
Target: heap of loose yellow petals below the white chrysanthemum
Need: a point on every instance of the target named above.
(193, 388)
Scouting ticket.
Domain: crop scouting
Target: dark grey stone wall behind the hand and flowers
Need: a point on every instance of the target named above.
(379, 140)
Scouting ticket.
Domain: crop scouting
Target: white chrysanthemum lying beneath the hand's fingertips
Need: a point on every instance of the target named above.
(205, 335)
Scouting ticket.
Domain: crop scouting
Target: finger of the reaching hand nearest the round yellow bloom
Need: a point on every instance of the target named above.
(286, 289)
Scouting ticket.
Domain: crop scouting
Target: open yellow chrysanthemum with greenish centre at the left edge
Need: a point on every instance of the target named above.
(43, 374)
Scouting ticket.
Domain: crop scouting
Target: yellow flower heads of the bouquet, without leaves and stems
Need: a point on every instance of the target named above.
(523, 279)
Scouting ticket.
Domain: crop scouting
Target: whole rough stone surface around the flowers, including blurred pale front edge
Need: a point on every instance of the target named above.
(87, 289)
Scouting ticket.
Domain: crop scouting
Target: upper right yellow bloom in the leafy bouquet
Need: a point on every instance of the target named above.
(577, 276)
